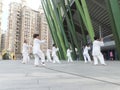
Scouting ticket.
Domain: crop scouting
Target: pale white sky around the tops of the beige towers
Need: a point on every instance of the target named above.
(34, 4)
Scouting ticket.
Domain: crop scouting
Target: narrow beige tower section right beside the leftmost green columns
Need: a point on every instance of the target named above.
(45, 32)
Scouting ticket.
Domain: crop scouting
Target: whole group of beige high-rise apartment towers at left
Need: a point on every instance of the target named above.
(23, 23)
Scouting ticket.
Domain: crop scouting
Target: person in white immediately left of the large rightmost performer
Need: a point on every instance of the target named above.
(86, 54)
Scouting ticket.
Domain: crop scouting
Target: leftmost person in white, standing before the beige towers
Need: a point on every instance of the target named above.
(25, 52)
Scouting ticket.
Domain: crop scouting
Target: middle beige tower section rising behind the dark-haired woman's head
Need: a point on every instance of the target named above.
(30, 24)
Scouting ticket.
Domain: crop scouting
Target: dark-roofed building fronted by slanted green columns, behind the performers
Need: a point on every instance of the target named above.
(82, 20)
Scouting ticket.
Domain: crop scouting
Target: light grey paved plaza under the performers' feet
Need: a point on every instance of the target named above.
(65, 76)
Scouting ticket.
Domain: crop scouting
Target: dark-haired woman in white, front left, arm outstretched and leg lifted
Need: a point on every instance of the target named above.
(38, 54)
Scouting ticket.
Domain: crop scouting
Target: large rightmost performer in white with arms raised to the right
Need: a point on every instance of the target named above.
(96, 52)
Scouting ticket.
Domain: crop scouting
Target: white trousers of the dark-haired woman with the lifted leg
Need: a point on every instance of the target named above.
(39, 55)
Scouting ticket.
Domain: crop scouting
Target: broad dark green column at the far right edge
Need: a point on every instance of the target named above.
(114, 14)
